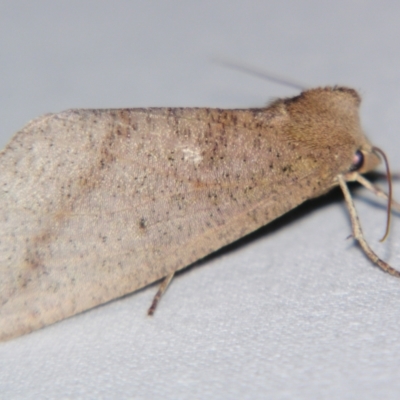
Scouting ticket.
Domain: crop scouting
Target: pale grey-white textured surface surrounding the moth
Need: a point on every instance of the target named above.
(295, 312)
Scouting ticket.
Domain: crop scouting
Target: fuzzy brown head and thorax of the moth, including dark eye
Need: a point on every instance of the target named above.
(326, 121)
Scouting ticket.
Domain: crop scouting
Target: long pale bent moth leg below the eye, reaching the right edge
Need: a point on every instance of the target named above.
(358, 234)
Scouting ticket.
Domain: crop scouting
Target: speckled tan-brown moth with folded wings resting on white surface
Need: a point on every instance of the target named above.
(95, 204)
